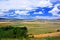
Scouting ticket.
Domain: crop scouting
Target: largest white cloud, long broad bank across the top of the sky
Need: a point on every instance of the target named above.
(24, 4)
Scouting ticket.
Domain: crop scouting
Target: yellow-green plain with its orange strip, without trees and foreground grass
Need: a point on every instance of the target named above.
(42, 29)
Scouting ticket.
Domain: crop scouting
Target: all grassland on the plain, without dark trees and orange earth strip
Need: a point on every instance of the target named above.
(36, 28)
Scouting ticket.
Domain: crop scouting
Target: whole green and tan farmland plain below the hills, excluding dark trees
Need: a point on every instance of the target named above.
(37, 28)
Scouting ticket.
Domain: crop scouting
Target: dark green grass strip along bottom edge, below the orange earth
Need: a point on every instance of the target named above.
(46, 38)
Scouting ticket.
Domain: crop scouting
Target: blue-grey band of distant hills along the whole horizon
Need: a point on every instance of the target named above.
(15, 20)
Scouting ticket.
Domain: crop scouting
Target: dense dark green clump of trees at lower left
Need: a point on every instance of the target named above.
(13, 32)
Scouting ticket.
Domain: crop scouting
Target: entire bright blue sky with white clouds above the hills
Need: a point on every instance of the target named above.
(30, 9)
